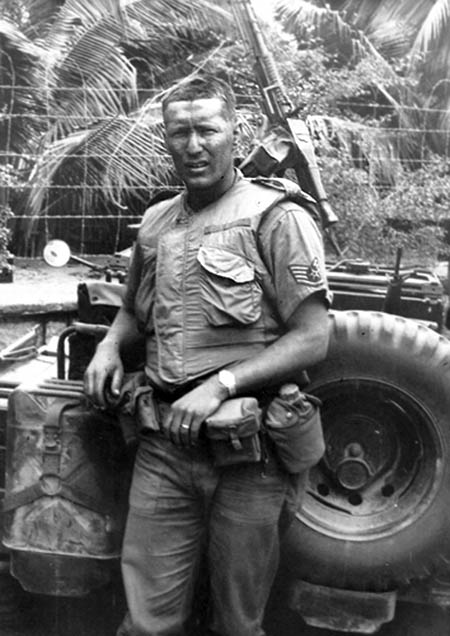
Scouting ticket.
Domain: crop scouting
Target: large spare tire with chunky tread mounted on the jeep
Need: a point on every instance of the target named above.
(377, 510)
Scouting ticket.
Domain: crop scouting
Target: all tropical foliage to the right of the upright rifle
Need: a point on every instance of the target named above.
(382, 100)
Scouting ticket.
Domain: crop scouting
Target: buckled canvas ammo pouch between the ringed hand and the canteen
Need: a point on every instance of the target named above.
(233, 432)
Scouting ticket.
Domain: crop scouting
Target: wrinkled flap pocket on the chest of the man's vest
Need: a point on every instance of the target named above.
(229, 291)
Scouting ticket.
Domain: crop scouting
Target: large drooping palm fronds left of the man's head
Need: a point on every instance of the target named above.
(102, 69)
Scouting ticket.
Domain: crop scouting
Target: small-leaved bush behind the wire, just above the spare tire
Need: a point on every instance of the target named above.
(374, 222)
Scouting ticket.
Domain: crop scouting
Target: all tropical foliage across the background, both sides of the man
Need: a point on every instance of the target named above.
(81, 84)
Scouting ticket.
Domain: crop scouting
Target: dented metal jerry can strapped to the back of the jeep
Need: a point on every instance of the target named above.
(66, 485)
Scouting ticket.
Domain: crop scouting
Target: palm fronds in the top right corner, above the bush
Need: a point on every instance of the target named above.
(408, 45)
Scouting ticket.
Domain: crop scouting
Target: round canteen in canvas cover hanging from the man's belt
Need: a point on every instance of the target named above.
(293, 424)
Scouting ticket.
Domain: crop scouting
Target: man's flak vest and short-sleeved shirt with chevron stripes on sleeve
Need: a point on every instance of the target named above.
(200, 316)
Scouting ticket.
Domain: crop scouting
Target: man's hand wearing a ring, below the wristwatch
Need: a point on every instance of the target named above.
(183, 421)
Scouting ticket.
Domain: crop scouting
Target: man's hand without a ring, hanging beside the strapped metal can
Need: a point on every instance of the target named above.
(104, 375)
